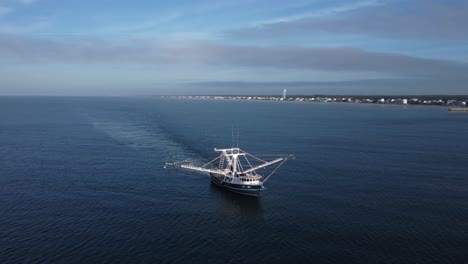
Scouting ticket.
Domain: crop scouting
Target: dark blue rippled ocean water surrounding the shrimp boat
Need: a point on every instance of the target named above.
(82, 181)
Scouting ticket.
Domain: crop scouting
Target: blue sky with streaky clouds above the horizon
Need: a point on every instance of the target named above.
(51, 47)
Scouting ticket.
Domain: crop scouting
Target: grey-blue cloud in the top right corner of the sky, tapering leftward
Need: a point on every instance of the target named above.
(433, 20)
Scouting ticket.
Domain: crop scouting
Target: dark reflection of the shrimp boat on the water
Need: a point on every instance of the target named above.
(237, 204)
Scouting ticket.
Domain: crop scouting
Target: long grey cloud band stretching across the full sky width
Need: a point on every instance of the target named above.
(16, 48)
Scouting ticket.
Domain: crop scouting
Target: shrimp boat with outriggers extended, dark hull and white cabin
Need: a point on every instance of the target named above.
(234, 171)
